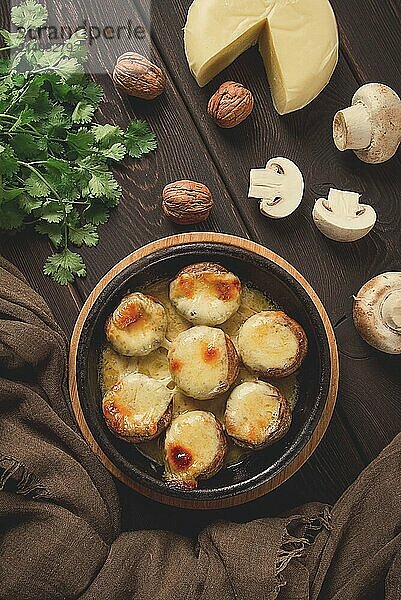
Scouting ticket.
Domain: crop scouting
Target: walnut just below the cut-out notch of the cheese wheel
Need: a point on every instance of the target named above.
(230, 105)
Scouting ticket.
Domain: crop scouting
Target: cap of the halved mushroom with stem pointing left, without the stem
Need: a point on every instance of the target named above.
(287, 188)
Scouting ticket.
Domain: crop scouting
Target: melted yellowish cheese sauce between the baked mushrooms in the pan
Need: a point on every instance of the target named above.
(113, 367)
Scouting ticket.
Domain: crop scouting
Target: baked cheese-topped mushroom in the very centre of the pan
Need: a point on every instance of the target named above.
(203, 362)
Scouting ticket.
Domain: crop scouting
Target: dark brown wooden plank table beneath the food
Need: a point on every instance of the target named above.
(368, 412)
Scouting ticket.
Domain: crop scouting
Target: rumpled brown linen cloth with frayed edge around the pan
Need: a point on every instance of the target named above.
(60, 517)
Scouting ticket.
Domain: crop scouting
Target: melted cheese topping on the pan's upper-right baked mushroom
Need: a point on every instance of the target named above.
(266, 341)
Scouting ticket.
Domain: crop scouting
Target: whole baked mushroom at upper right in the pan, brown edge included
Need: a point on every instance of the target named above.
(272, 344)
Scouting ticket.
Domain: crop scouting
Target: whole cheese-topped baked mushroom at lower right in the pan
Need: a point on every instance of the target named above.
(257, 415)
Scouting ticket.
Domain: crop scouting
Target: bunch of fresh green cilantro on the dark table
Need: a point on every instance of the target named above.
(54, 160)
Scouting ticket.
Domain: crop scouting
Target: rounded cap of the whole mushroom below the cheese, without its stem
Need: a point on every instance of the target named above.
(384, 107)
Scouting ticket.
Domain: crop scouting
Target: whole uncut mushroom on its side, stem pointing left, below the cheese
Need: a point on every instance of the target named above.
(372, 125)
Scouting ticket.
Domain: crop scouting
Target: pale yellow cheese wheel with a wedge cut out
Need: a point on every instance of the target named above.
(298, 40)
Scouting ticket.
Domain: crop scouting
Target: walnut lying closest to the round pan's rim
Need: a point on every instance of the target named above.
(187, 202)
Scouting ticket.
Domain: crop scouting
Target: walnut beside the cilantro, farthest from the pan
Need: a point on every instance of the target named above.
(137, 76)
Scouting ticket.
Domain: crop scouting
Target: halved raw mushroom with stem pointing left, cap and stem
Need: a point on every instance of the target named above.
(280, 186)
